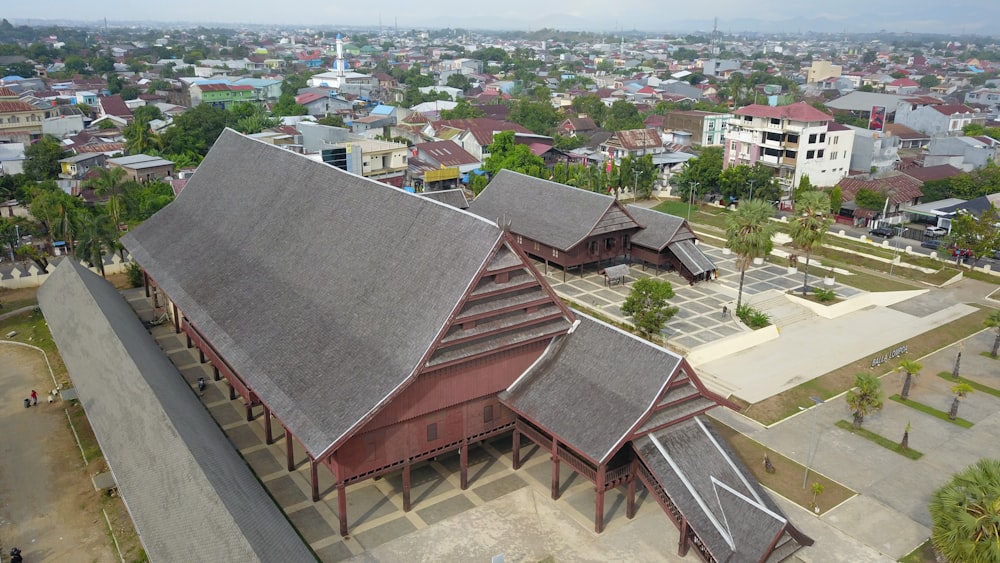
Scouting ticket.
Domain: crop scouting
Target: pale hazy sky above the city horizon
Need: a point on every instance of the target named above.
(955, 17)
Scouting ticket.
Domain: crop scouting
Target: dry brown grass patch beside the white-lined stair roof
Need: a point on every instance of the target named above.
(787, 477)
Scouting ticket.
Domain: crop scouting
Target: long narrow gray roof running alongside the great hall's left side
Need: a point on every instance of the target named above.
(187, 489)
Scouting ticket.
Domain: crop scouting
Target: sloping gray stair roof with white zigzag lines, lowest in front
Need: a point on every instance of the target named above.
(714, 490)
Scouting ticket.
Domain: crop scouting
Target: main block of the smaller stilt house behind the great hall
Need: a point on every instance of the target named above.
(557, 223)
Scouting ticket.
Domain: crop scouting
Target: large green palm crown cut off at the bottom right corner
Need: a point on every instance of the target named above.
(966, 515)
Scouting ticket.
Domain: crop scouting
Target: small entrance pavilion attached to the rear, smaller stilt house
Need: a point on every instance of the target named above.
(667, 241)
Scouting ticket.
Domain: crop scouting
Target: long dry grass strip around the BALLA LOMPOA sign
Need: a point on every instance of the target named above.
(832, 383)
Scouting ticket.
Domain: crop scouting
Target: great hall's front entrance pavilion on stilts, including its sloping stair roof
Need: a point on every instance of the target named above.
(630, 413)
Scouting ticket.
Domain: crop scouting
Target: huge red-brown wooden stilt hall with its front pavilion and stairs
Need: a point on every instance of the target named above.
(379, 328)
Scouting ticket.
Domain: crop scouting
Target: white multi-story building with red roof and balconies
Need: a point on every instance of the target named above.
(795, 140)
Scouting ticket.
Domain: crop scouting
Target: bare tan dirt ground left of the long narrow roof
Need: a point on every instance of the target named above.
(48, 505)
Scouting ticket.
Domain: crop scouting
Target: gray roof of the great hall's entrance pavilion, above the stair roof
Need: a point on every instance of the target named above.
(593, 386)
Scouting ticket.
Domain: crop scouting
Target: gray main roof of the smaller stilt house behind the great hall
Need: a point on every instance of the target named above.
(551, 213)
